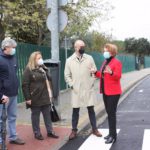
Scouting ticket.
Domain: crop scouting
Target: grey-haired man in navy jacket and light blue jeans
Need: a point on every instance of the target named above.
(9, 84)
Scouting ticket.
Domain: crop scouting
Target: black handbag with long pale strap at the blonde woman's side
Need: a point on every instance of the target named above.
(53, 112)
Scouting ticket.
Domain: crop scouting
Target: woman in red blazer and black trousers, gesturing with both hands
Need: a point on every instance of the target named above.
(110, 87)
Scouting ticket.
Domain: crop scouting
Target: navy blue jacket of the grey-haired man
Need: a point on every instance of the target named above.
(9, 82)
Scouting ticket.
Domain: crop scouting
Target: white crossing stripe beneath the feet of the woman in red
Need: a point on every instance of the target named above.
(97, 143)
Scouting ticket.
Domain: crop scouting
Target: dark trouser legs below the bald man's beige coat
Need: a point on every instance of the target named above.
(75, 117)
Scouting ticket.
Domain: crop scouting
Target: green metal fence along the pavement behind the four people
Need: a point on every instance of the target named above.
(24, 51)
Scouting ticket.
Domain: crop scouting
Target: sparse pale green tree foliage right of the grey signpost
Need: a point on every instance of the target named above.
(82, 15)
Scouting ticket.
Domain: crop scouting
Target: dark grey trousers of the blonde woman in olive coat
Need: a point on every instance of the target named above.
(35, 117)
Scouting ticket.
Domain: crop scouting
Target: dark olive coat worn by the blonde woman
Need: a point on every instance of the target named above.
(34, 86)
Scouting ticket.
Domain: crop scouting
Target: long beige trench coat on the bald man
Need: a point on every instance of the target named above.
(77, 75)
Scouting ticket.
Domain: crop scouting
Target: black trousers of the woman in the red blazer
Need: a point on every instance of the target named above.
(110, 103)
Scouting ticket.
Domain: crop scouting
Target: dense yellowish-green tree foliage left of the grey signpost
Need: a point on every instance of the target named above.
(25, 20)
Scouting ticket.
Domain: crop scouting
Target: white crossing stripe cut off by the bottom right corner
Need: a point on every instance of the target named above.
(146, 140)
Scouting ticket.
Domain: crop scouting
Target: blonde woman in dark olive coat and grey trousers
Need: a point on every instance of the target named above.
(37, 95)
